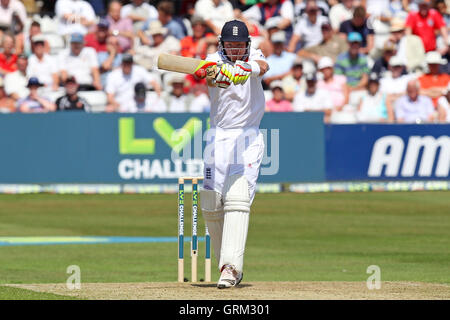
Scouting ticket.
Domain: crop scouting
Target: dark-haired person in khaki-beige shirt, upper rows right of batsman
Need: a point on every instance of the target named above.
(331, 46)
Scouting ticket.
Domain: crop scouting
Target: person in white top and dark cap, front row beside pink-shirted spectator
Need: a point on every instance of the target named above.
(313, 99)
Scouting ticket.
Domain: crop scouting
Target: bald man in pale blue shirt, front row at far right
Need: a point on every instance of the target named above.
(414, 108)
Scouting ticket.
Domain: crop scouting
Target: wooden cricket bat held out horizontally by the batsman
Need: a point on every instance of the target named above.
(181, 64)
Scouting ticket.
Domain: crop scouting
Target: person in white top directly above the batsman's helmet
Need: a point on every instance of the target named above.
(215, 13)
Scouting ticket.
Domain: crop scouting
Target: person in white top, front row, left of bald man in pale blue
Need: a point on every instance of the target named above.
(372, 106)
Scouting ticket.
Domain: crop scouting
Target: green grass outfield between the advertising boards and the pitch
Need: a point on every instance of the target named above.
(292, 237)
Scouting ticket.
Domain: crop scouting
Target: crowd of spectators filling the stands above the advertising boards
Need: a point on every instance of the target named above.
(353, 60)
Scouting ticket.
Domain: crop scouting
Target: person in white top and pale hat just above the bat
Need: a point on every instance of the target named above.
(147, 55)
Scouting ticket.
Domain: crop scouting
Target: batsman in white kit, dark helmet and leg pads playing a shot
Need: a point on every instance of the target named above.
(234, 147)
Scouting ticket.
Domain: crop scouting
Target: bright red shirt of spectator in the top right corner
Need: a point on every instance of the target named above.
(425, 27)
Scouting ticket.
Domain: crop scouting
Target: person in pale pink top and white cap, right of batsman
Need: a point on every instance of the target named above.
(334, 84)
